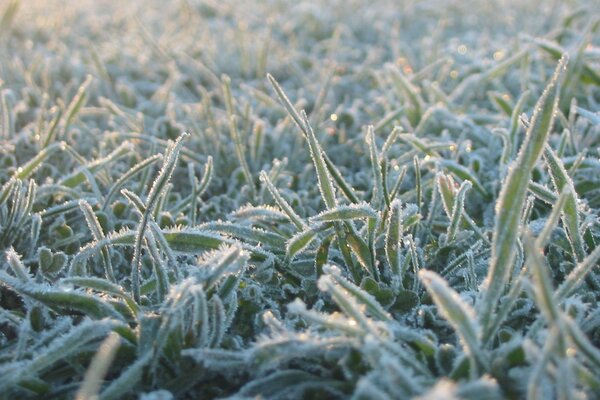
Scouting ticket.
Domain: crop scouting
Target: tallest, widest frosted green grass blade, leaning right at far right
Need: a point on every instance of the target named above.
(512, 196)
